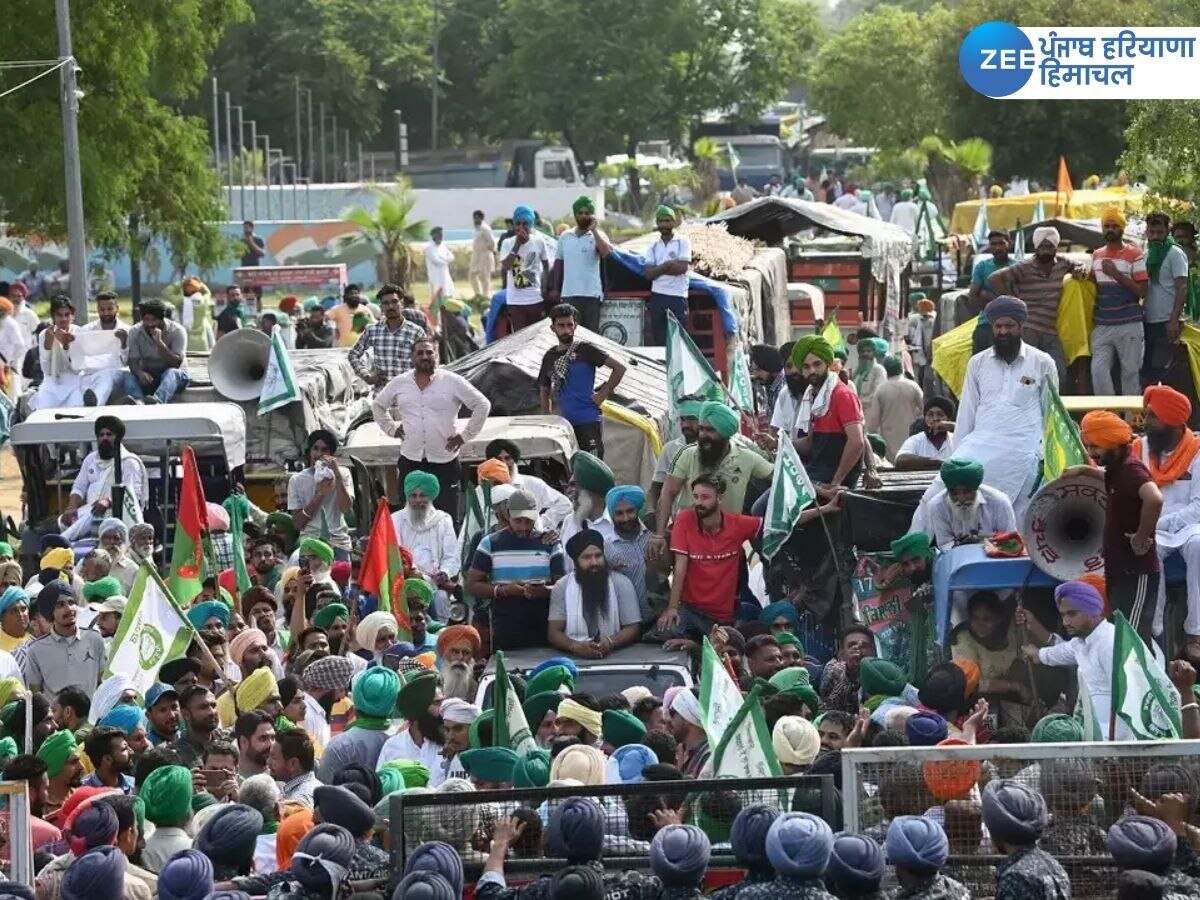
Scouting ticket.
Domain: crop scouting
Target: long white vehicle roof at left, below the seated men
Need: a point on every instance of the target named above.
(212, 425)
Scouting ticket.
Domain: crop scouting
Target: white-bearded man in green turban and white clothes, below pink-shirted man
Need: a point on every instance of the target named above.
(429, 533)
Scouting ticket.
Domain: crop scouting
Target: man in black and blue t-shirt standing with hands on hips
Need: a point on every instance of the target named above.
(569, 375)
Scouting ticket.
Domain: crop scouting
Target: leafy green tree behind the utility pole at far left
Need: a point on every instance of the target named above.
(139, 157)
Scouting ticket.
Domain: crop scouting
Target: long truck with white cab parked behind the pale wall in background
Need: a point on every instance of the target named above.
(514, 164)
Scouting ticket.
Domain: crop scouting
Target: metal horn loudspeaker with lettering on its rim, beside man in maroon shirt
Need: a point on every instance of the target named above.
(1064, 527)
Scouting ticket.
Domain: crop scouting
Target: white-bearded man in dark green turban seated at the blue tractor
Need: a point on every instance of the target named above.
(968, 512)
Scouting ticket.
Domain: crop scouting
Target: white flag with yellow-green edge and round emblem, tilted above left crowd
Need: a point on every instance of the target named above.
(153, 632)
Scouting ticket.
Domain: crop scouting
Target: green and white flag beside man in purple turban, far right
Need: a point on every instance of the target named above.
(1143, 697)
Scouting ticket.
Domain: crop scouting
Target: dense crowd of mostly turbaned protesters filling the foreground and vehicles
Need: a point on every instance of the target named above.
(267, 758)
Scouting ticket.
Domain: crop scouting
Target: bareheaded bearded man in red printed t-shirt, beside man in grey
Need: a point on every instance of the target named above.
(706, 545)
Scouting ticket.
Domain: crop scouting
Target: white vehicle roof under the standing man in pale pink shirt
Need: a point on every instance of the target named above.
(539, 437)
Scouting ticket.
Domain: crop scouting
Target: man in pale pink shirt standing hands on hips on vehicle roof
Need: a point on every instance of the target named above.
(428, 400)
